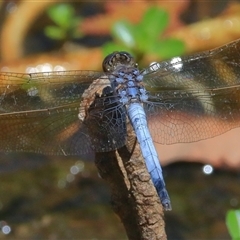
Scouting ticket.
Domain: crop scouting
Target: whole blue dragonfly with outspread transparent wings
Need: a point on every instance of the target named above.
(80, 112)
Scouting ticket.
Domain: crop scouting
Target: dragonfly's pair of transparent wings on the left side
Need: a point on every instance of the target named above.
(39, 113)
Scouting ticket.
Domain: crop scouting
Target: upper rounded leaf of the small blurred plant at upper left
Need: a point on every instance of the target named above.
(61, 14)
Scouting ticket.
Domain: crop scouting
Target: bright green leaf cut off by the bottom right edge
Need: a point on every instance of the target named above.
(233, 223)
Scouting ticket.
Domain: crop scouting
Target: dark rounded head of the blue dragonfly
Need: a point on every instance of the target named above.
(116, 59)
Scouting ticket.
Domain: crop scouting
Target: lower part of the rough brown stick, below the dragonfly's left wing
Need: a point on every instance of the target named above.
(134, 198)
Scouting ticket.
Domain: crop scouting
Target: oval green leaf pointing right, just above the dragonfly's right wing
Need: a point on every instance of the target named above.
(168, 48)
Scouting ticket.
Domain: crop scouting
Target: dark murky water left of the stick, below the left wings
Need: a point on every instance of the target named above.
(61, 199)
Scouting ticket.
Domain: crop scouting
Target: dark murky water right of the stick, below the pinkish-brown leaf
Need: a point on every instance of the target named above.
(200, 201)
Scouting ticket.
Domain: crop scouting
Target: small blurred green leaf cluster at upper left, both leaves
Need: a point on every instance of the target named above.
(66, 23)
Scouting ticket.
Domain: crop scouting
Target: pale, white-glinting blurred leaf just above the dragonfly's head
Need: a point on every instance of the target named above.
(123, 31)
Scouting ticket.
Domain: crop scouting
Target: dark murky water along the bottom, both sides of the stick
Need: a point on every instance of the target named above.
(65, 198)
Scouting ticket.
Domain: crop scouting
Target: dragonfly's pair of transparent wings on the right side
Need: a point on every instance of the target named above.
(194, 97)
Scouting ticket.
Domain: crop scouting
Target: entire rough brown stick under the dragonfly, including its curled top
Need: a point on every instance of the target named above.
(134, 198)
